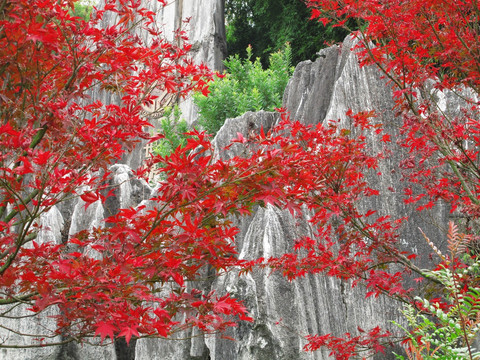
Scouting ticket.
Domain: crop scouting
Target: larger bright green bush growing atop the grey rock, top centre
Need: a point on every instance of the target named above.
(245, 87)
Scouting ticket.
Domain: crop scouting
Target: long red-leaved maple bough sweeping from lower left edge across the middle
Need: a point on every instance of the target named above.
(130, 278)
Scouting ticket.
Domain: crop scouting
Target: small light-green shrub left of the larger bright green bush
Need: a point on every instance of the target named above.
(174, 129)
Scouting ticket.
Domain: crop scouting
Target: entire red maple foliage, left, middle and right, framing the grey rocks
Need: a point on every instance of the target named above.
(56, 142)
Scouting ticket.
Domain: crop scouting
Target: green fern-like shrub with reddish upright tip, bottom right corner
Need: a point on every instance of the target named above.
(446, 331)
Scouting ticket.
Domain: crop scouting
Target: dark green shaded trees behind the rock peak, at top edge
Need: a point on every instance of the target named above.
(268, 24)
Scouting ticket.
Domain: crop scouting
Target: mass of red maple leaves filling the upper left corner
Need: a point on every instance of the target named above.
(51, 133)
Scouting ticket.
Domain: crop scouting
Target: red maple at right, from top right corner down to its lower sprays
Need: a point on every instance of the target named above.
(428, 51)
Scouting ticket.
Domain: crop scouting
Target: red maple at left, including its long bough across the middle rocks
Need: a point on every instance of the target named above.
(129, 277)
